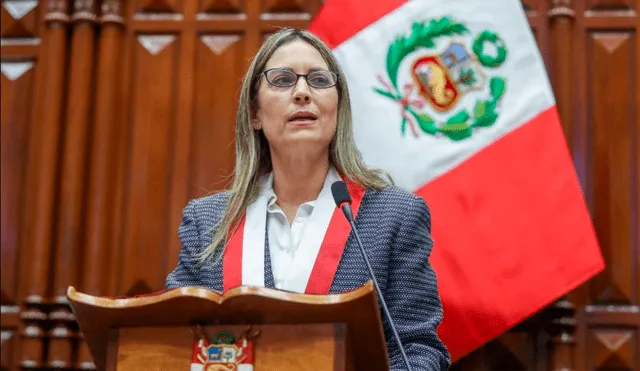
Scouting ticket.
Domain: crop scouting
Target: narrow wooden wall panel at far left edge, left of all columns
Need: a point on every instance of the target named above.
(18, 85)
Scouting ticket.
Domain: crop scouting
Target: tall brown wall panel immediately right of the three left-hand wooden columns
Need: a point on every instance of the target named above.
(154, 88)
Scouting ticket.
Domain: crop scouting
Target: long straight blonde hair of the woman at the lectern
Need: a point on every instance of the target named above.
(253, 159)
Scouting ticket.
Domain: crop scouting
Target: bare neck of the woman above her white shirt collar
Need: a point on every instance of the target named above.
(298, 178)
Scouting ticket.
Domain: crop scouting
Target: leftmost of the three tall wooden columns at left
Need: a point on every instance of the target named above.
(41, 182)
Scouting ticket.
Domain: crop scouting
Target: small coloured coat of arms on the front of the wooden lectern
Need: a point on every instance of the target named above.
(224, 353)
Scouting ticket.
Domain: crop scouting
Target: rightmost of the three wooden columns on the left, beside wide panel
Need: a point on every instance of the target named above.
(100, 244)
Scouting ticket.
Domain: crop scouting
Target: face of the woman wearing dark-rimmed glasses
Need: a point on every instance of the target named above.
(299, 116)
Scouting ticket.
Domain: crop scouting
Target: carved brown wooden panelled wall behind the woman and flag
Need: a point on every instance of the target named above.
(115, 113)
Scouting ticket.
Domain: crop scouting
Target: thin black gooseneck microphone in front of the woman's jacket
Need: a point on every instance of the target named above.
(343, 201)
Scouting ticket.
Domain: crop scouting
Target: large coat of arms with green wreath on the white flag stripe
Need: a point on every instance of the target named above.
(441, 79)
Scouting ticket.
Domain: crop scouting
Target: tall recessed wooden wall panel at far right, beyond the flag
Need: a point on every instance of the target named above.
(610, 121)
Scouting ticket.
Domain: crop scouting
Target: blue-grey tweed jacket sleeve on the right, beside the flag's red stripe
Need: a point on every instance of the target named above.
(412, 294)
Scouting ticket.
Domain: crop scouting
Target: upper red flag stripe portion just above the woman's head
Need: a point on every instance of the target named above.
(339, 20)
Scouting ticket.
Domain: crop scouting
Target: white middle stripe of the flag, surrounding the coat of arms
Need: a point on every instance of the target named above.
(414, 161)
